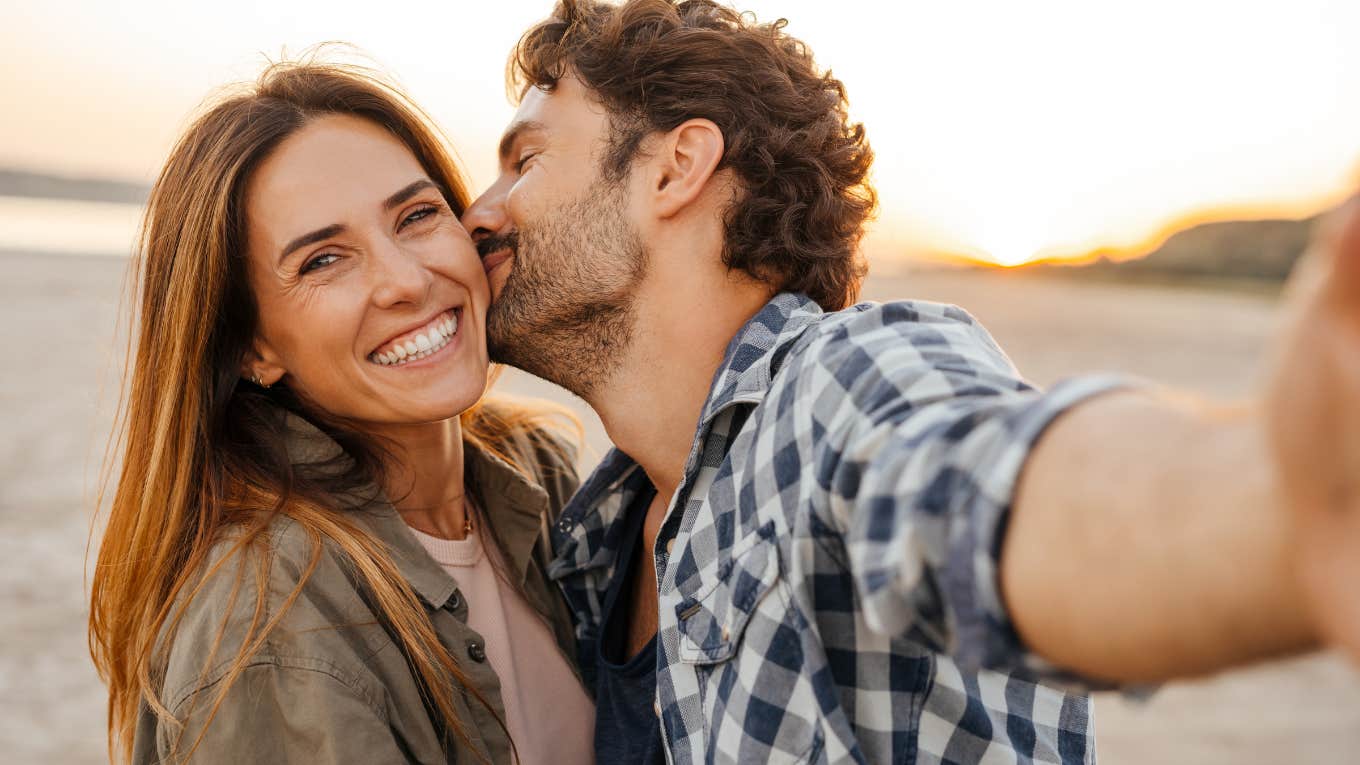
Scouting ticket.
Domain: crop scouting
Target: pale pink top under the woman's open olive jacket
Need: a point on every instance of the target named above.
(549, 714)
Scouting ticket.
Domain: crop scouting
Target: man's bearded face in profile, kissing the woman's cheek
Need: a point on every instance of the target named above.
(558, 243)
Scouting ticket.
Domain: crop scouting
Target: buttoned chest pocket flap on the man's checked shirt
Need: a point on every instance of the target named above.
(715, 619)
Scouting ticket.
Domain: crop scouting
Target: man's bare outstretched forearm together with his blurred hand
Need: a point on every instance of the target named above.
(1199, 538)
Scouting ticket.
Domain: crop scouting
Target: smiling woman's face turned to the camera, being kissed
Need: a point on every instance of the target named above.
(372, 296)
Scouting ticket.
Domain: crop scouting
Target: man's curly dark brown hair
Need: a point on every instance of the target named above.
(803, 167)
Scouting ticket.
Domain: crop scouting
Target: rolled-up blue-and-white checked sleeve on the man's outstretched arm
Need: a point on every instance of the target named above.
(919, 428)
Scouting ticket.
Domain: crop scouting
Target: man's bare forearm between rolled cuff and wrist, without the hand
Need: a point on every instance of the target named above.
(1147, 542)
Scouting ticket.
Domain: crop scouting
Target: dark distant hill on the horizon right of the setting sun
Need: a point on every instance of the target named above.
(1252, 251)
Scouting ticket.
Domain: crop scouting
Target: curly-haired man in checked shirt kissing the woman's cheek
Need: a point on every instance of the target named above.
(851, 534)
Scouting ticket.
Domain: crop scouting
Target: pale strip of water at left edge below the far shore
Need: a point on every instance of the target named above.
(69, 227)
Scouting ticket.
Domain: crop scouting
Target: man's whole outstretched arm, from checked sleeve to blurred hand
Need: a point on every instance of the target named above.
(1091, 533)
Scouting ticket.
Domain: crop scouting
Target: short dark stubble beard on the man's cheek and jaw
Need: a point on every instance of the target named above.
(568, 310)
